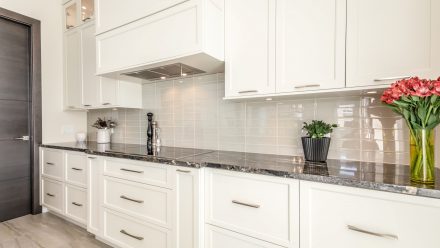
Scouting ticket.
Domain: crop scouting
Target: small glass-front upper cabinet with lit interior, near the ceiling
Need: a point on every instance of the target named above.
(77, 12)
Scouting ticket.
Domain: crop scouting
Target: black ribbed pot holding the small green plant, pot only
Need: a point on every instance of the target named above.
(315, 150)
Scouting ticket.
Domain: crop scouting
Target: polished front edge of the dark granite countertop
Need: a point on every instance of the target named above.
(378, 186)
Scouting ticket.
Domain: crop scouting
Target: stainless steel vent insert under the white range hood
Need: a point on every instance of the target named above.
(169, 71)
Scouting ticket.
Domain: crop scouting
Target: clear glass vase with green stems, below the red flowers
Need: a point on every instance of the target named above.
(422, 155)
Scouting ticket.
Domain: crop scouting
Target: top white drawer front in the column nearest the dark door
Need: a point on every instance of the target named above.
(52, 163)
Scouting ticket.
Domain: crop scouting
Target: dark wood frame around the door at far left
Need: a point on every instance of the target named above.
(35, 99)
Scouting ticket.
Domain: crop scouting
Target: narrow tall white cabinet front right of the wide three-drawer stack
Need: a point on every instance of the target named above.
(188, 207)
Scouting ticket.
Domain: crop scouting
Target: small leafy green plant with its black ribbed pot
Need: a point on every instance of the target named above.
(317, 141)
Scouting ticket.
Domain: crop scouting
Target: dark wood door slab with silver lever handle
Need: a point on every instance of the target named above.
(15, 103)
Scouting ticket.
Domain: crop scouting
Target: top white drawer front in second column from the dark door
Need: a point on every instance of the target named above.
(76, 172)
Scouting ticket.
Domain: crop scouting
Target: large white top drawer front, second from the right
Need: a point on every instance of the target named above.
(259, 206)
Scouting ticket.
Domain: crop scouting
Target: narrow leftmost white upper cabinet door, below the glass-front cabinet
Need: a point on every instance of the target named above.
(72, 55)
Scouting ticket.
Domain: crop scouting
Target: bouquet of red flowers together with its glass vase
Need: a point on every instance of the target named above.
(418, 101)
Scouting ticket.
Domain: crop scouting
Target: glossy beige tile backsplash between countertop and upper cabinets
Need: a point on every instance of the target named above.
(191, 113)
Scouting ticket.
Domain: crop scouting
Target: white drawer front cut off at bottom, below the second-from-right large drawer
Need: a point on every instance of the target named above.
(220, 238)
